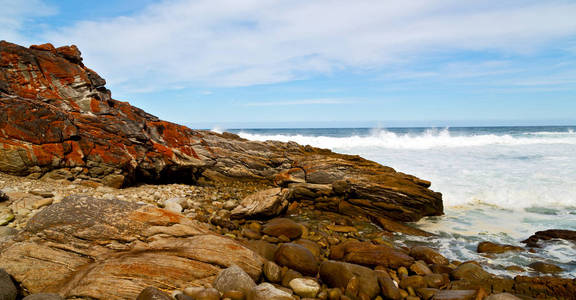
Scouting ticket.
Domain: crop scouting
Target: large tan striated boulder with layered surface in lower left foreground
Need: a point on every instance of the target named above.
(110, 249)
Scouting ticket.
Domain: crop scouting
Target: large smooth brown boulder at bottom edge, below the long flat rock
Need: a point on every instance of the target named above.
(338, 274)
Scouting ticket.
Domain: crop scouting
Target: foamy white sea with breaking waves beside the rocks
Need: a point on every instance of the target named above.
(499, 184)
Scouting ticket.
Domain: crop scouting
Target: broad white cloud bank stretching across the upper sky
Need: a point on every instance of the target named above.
(197, 43)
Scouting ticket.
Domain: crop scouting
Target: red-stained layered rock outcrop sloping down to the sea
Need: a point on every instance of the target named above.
(57, 120)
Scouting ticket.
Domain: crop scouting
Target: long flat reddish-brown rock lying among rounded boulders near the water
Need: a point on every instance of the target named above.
(366, 253)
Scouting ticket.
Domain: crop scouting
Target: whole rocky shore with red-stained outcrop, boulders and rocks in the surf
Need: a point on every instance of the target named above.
(101, 200)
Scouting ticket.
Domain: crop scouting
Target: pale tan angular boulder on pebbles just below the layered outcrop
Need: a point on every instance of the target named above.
(266, 203)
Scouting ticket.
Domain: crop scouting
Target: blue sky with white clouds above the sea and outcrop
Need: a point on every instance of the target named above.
(321, 63)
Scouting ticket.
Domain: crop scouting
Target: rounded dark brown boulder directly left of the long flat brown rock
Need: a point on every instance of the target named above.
(297, 257)
